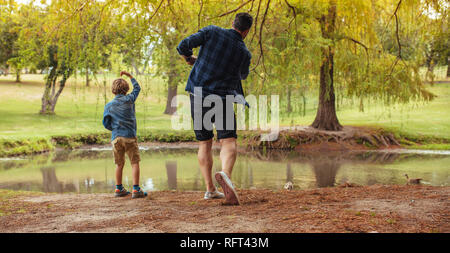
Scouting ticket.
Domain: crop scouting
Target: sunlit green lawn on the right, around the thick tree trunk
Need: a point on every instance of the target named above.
(430, 119)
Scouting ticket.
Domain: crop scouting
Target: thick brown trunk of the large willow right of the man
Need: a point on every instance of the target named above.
(326, 118)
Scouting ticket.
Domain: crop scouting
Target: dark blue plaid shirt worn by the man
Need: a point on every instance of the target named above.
(223, 61)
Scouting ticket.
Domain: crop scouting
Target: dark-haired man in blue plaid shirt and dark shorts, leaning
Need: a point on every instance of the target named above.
(223, 61)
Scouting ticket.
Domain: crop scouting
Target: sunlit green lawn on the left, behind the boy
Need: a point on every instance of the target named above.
(79, 108)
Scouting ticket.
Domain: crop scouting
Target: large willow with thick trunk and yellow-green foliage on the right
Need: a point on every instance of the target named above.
(352, 53)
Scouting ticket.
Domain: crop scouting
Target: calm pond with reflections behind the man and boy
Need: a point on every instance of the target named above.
(91, 171)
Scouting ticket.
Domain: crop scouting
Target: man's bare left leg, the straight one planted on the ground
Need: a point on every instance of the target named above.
(206, 162)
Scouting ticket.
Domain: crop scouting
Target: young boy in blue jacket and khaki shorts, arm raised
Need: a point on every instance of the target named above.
(120, 118)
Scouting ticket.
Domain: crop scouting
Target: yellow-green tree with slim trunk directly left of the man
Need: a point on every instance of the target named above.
(168, 23)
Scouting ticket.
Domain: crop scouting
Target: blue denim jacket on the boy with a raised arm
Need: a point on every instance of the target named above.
(120, 114)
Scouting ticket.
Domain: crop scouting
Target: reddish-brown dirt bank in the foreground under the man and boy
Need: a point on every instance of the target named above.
(341, 209)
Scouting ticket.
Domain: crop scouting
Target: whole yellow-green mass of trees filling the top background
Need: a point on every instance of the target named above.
(359, 49)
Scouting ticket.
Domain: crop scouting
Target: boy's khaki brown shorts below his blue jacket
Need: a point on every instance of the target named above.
(122, 145)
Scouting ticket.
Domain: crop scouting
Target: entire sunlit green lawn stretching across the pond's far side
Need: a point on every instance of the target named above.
(79, 110)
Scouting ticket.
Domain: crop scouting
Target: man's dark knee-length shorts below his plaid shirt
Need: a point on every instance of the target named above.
(205, 131)
